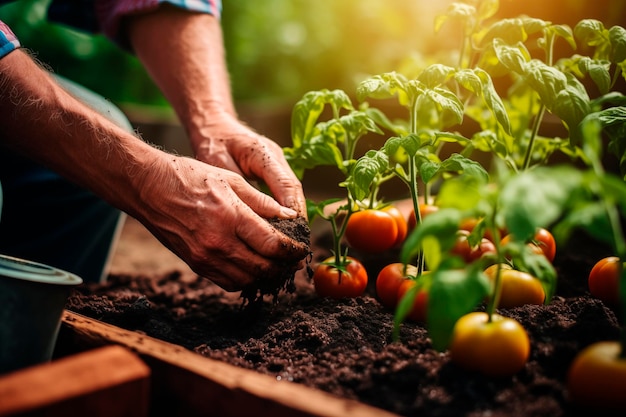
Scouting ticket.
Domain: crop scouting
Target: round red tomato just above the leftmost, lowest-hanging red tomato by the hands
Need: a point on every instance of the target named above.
(372, 231)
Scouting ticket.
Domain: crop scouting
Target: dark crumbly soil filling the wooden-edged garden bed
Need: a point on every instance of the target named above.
(345, 346)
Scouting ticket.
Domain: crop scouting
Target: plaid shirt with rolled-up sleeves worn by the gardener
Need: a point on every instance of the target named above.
(102, 16)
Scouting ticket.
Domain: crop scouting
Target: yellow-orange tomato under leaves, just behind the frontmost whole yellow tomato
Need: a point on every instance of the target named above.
(517, 288)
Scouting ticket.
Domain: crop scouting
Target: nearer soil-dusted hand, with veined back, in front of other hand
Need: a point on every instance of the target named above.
(215, 221)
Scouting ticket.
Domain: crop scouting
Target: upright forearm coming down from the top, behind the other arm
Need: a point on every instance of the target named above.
(187, 63)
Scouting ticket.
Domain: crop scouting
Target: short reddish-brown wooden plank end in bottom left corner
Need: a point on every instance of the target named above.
(110, 381)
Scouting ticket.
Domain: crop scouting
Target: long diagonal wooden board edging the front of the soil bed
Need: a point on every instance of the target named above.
(186, 383)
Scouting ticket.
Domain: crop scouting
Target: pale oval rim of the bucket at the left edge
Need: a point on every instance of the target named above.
(17, 268)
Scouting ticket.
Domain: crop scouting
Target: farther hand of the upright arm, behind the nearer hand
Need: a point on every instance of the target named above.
(229, 144)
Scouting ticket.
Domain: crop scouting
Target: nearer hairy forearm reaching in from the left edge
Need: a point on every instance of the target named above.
(43, 122)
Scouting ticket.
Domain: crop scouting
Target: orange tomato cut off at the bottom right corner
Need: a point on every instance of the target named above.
(597, 378)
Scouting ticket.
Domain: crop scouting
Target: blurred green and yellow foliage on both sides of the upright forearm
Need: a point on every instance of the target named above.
(277, 49)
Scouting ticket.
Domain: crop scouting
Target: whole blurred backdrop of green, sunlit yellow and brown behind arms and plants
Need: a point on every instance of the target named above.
(277, 50)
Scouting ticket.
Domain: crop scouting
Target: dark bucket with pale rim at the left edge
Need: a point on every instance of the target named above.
(32, 300)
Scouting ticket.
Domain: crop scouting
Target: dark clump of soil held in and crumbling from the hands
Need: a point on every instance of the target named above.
(283, 280)
